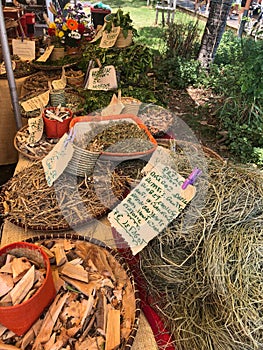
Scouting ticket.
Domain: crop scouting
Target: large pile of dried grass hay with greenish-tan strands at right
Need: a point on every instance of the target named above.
(205, 274)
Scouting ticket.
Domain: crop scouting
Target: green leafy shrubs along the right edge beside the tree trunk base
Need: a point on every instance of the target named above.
(237, 75)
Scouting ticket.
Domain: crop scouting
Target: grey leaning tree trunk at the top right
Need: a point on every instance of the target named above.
(214, 29)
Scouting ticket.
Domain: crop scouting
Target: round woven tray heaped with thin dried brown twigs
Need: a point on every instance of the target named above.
(27, 201)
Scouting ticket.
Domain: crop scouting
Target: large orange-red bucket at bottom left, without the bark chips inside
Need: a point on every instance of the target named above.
(19, 318)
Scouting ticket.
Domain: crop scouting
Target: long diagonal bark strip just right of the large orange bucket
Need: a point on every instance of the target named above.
(50, 320)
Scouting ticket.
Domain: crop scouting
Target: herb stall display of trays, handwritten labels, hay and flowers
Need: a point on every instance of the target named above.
(104, 171)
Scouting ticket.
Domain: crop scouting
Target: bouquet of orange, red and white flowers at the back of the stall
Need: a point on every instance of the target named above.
(70, 26)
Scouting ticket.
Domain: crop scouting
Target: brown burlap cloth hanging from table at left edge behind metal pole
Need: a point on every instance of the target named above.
(8, 153)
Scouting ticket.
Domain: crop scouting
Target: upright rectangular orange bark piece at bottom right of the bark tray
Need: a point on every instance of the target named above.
(113, 332)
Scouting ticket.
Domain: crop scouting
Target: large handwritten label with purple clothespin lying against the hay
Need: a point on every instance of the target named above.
(151, 206)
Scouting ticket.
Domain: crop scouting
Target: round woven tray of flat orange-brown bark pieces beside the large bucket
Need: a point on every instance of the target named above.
(96, 305)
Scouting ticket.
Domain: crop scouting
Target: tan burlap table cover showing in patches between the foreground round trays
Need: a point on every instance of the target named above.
(144, 339)
